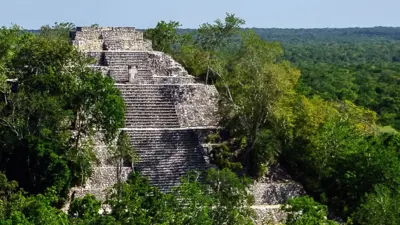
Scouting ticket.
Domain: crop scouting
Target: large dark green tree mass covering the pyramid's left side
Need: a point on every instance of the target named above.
(49, 117)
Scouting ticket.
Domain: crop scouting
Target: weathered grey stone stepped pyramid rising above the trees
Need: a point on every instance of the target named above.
(167, 111)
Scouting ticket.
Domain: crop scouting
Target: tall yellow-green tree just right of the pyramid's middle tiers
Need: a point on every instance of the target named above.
(256, 93)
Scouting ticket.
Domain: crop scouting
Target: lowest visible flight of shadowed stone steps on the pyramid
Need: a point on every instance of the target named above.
(166, 155)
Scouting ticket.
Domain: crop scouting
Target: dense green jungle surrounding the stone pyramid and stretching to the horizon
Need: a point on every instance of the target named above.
(322, 103)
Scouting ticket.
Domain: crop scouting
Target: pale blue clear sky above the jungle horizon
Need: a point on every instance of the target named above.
(31, 14)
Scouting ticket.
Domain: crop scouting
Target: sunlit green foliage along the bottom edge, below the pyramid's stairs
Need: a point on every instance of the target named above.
(221, 199)
